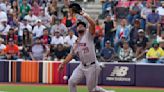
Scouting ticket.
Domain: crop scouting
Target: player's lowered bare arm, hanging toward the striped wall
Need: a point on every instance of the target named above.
(67, 60)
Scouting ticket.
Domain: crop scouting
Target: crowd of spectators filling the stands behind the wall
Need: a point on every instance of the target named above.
(131, 30)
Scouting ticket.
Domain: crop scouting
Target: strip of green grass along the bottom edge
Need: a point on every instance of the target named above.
(54, 88)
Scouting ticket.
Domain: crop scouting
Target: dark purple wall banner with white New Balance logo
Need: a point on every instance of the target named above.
(119, 74)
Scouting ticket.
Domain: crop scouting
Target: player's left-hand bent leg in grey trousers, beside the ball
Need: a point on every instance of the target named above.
(75, 78)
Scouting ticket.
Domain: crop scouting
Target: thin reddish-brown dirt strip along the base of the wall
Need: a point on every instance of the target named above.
(128, 87)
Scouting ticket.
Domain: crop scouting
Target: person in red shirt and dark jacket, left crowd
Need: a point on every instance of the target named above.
(45, 38)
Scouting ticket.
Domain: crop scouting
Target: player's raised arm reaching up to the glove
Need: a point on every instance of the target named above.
(92, 23)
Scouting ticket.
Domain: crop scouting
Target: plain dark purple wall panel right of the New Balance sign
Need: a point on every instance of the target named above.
(150, 75)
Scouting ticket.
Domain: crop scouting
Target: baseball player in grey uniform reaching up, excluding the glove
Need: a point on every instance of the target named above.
(85, 50)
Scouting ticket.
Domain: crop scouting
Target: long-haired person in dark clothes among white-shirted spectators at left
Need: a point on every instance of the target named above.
(26, 38)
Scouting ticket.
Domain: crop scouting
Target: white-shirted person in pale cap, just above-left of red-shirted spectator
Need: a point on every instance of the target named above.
(38, 29)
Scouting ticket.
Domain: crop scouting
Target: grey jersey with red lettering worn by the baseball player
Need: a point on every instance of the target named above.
(85, 49)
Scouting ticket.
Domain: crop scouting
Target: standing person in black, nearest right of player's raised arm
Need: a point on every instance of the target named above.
(109, 30)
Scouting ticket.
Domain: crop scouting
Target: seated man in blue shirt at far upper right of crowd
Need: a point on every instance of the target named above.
(153, 20)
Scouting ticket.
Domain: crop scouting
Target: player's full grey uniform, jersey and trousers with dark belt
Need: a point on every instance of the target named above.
(85, 50)
